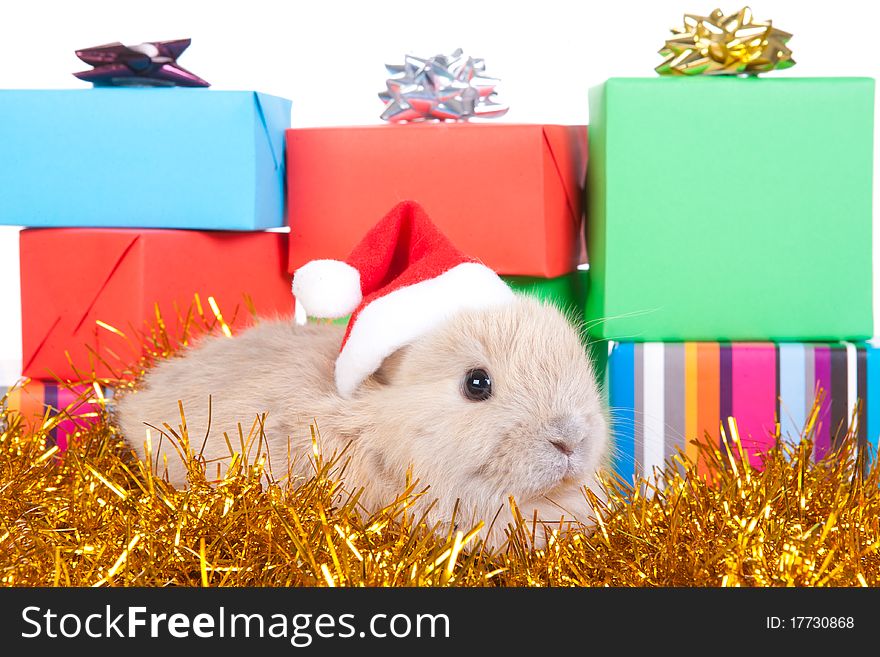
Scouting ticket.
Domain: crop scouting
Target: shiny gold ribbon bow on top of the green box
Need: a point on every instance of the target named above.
(725, 45)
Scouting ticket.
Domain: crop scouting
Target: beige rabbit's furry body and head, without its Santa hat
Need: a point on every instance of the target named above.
(539, 435)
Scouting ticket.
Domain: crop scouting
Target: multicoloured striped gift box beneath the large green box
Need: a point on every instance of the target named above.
(665, 394)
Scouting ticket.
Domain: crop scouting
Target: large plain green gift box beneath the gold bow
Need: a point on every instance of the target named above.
(725, 208)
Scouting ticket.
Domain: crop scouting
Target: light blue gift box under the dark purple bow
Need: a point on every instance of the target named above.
(144, 157)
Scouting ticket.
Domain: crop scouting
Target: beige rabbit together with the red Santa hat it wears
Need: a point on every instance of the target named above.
(484, 394)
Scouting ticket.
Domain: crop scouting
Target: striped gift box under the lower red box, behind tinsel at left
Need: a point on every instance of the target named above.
(33, 398)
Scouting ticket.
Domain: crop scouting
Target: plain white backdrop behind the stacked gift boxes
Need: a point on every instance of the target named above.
(328, 58)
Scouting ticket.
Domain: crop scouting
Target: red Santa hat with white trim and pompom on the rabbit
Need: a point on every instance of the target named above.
(404, 279)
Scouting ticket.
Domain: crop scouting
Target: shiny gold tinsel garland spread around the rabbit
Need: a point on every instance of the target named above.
(96, 516)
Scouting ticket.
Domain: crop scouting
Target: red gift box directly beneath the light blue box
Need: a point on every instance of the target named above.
(73, 278)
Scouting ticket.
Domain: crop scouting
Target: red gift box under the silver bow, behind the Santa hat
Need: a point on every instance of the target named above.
(507, 194)
